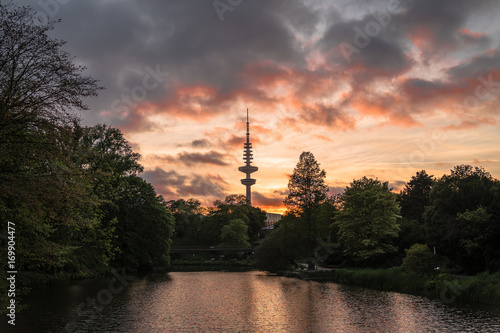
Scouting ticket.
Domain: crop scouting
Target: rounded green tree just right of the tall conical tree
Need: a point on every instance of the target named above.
(367, 220)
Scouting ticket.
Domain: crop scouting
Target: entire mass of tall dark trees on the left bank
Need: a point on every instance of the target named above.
(73, 192)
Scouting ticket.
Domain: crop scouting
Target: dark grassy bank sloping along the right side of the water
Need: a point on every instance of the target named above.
(482, 289)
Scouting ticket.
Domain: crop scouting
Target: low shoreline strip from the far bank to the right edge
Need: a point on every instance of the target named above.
(483, 288)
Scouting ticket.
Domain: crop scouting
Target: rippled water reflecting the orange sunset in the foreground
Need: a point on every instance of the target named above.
(241, 302)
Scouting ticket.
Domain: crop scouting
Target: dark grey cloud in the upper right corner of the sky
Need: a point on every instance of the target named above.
(380, 38)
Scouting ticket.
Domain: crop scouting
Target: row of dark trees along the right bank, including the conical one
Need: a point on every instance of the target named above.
(369, 226)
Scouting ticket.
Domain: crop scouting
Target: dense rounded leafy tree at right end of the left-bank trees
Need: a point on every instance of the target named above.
(142, 224)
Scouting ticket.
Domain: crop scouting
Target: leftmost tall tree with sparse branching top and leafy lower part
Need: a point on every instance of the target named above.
(41, 189)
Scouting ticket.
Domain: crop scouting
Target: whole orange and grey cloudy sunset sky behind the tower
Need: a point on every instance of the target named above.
(372, 88)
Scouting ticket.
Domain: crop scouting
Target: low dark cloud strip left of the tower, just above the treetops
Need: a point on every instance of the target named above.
(173, 185)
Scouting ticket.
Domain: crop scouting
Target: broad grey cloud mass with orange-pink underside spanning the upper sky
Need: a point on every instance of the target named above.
(212, 63)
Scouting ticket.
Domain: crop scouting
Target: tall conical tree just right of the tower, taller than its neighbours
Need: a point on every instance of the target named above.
(307, 192)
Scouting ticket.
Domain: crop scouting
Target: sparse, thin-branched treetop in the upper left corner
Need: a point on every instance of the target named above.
(39, 83)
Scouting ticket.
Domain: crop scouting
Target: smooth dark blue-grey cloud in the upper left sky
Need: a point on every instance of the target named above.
(117, 40)
